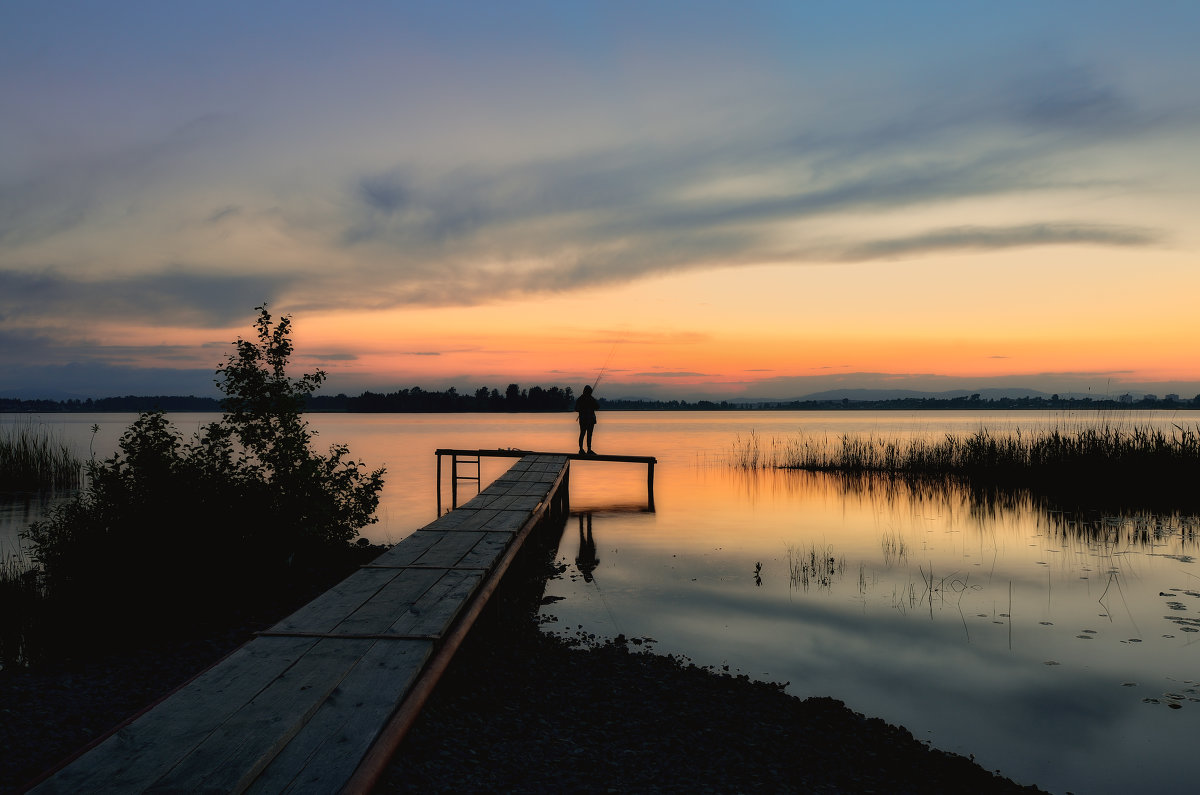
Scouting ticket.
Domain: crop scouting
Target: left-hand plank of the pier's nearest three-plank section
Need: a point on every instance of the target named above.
(139, 755)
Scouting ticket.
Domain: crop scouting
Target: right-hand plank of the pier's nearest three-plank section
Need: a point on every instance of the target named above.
(325, 754)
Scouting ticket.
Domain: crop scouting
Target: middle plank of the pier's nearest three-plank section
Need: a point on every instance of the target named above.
(245, 744)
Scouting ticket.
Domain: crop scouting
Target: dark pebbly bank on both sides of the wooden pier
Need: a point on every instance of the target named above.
(523, 712)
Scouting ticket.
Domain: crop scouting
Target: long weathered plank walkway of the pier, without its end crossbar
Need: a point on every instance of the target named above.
(320, 702)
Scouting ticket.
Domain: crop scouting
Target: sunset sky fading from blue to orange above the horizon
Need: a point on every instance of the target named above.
(692, 200)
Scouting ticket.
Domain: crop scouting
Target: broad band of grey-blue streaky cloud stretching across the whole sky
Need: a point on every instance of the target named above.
(611, 210)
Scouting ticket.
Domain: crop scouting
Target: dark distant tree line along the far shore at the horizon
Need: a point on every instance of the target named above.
(554, 399)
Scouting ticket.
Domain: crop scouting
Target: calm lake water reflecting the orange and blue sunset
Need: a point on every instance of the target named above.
(1064, 659)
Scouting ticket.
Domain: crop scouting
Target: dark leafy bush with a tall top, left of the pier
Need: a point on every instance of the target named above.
(170, 524)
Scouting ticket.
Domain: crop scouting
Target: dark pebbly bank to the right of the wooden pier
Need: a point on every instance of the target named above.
(520, 712)
